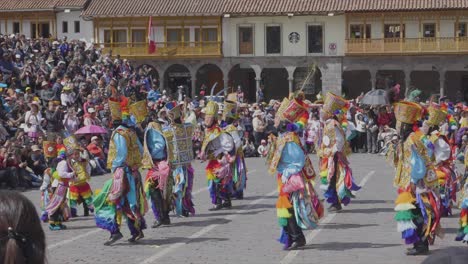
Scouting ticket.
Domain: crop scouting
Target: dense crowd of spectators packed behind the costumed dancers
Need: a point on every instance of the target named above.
(51, 89)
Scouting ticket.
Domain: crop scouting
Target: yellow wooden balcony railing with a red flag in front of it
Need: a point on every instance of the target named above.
(165, 49)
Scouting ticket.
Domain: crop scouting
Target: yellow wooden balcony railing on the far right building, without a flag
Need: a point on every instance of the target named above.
(407, 46)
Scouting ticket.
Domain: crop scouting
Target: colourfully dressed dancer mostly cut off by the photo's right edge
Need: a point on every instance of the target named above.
(463, 231)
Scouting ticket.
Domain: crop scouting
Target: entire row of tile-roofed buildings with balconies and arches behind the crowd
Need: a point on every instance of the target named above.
(343, 46)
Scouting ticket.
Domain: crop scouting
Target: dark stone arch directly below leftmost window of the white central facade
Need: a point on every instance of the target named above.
(243, 76)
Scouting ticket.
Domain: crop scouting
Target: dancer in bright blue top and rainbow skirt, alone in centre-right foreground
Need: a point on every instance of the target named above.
(298, 205)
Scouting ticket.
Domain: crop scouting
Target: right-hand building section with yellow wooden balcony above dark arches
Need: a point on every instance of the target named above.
(417, 44)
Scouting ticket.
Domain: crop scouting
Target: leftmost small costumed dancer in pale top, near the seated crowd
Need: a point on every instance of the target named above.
(57, 208)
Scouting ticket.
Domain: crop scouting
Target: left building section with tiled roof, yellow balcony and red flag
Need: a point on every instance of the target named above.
(179, 40)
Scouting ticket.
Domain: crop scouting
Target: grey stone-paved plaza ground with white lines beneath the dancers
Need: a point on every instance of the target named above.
(364, 232)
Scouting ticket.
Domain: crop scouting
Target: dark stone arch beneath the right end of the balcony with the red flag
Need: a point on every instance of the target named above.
(207, 75)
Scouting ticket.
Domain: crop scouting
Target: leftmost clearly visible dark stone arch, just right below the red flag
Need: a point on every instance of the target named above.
(177, 75)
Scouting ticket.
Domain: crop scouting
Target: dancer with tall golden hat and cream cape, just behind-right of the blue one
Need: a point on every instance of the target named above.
(335, 172)
